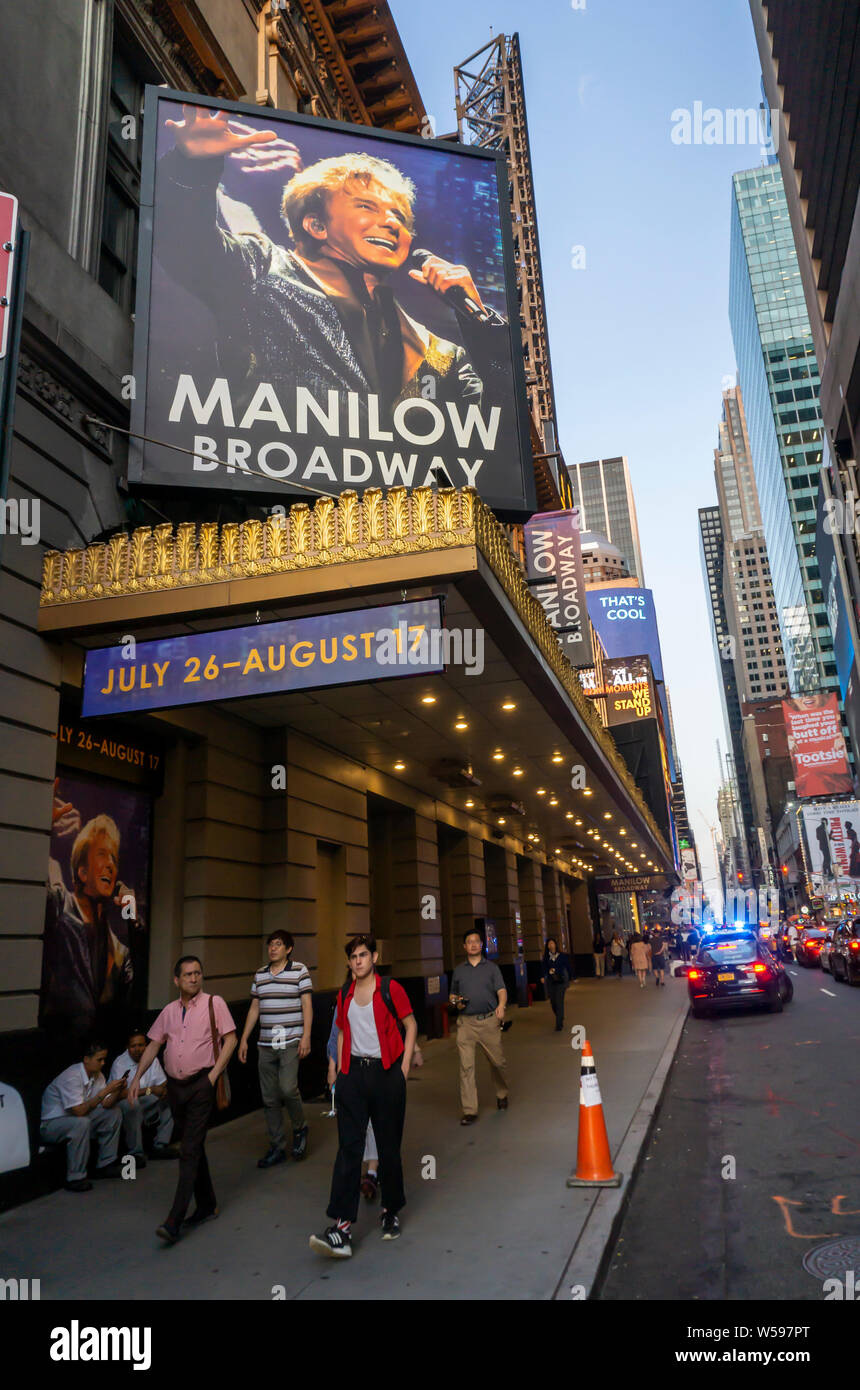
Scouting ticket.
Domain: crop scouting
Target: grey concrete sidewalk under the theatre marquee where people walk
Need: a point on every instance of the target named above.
(497, 1221)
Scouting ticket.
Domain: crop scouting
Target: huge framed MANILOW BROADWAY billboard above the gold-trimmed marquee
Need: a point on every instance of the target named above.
(324, 306)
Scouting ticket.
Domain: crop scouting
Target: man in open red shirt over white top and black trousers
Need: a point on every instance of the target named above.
(374, 1058)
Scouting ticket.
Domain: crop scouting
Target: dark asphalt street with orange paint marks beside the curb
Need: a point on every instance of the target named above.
(779, 1095)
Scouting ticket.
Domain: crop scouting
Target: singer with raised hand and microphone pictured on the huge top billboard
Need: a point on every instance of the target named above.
(322, 312)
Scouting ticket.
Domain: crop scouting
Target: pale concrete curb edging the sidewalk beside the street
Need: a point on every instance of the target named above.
(604, 1223)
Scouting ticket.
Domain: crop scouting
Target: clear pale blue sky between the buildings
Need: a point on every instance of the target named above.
(640, 338)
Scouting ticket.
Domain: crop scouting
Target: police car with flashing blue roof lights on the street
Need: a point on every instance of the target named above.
(734, 970)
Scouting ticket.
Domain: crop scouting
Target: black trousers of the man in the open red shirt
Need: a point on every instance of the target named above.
(367, 1093)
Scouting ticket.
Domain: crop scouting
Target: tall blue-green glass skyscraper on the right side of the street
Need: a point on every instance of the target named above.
(780, 382)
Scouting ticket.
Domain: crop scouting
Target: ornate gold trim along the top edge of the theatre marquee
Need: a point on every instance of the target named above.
(394, 523)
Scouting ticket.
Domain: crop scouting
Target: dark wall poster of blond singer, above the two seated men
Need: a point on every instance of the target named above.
(95, 928)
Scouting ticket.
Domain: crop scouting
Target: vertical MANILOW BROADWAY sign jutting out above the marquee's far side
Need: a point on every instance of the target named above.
(556, 576)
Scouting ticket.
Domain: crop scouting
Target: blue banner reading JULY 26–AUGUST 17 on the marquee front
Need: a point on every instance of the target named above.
(266, 660)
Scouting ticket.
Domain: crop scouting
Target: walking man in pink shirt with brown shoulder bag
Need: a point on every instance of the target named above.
(192, 1074)
